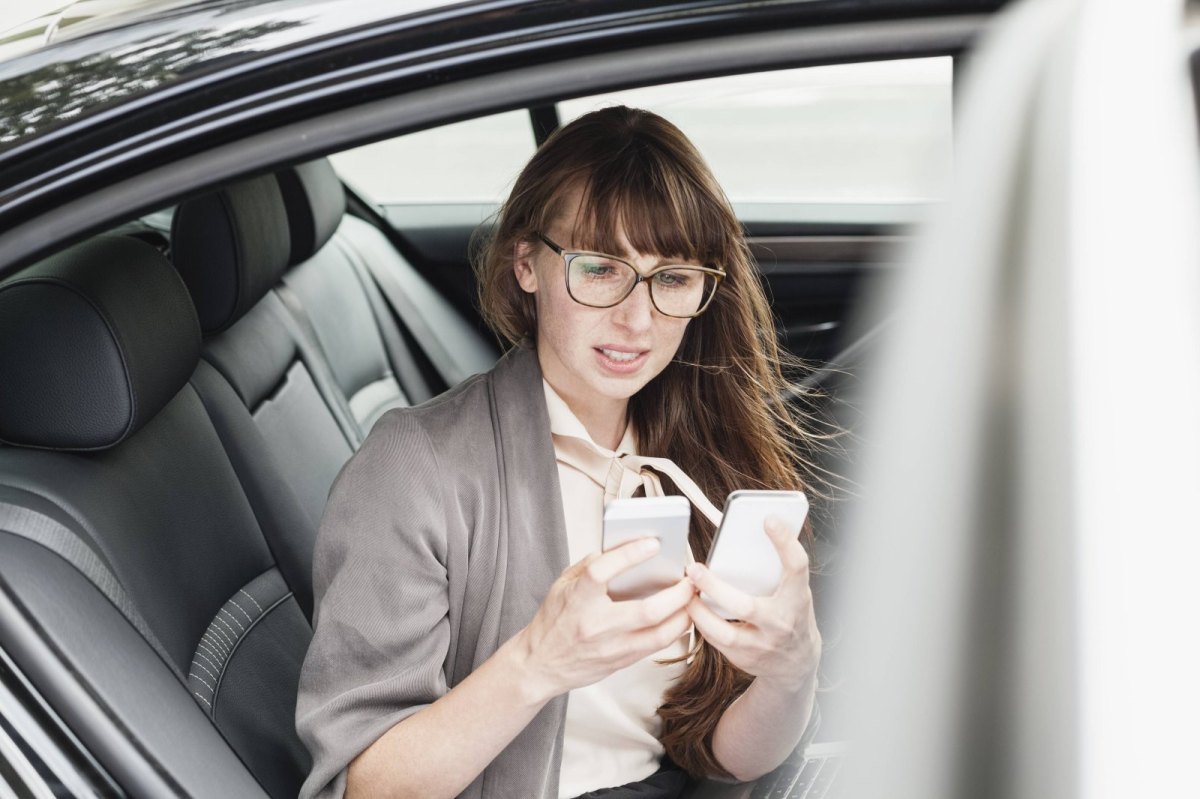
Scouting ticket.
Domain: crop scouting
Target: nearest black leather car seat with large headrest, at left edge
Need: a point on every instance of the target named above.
(110, 443)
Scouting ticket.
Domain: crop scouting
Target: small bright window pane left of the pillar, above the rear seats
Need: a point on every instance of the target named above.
(466, 163)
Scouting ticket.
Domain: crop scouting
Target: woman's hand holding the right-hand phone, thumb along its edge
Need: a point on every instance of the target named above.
(776, 638)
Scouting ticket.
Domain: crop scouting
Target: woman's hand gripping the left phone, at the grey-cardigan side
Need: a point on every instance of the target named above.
(580, 635)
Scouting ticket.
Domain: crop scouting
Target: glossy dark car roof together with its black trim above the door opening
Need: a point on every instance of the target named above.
(143, 86)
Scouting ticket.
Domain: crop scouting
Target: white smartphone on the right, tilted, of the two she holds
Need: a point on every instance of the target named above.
(742, 554)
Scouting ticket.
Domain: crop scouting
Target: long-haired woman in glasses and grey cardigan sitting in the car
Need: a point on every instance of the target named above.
(459, 605)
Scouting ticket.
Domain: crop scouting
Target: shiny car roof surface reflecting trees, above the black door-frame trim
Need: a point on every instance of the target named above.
(116, 51)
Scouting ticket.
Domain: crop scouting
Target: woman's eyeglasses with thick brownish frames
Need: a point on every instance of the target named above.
(601, 281)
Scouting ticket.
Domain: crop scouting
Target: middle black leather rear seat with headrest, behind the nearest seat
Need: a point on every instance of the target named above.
(267, 386)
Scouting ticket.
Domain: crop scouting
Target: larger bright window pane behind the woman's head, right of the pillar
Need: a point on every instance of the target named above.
(877, 133)
